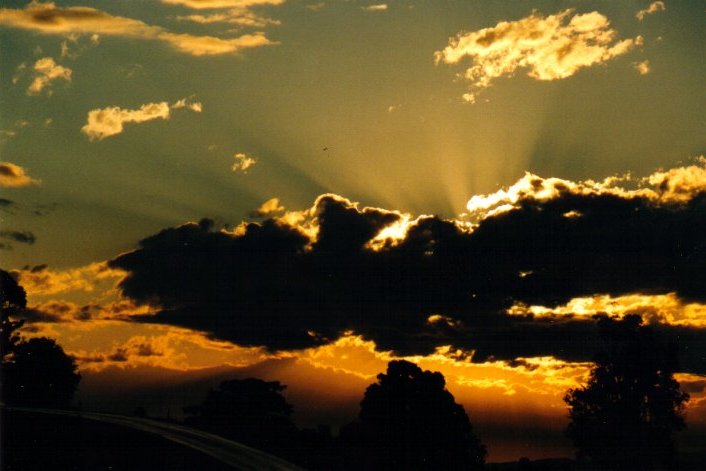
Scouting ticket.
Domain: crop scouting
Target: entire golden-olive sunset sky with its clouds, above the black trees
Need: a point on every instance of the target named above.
(187, 184)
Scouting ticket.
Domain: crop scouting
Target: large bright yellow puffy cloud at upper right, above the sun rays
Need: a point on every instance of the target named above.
(550, 48)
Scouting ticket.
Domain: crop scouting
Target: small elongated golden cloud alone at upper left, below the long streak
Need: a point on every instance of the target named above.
(106, 122)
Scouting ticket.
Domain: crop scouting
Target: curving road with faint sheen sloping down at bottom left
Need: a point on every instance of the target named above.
(234, 454)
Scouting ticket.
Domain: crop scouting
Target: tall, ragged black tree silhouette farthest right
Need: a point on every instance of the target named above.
(623, 419)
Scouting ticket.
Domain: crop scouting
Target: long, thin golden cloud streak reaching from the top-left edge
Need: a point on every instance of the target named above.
(47, 18)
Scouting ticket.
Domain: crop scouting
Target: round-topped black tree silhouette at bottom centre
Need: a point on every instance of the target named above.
(408, 420)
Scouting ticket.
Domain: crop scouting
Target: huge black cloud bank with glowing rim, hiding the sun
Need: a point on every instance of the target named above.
(271, 284)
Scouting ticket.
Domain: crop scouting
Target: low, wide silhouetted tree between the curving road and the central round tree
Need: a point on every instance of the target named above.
(251, 411)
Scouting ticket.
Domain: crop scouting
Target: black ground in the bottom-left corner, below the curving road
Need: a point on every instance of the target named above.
(33, 441)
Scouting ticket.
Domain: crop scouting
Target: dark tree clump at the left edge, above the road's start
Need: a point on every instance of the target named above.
(35, 372)
